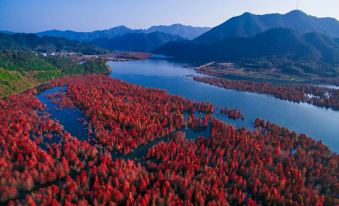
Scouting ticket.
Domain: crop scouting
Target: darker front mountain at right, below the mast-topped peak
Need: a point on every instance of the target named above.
(284, 48)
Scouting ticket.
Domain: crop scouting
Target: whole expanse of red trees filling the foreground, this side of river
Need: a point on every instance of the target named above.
(271, 165)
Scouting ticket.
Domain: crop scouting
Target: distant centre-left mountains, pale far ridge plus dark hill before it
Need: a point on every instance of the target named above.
(124, 38)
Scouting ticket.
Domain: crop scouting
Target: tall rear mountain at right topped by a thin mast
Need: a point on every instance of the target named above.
(247, 25)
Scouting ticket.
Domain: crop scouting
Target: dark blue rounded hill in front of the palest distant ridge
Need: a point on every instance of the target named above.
(137, 41)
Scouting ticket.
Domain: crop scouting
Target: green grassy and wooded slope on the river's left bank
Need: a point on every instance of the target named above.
(20, 71)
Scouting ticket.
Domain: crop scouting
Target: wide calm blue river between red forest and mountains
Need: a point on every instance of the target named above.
(321, 124)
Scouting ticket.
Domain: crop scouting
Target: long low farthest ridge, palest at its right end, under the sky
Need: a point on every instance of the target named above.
(184, 31)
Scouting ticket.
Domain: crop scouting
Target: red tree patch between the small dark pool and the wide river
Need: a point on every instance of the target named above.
(124, 116)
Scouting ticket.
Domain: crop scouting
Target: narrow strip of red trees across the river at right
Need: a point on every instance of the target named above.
(318, 96)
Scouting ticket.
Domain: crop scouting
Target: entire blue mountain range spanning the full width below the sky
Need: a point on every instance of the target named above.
(294, 42)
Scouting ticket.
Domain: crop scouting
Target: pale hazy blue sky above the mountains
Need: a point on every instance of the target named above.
(88, 15)
